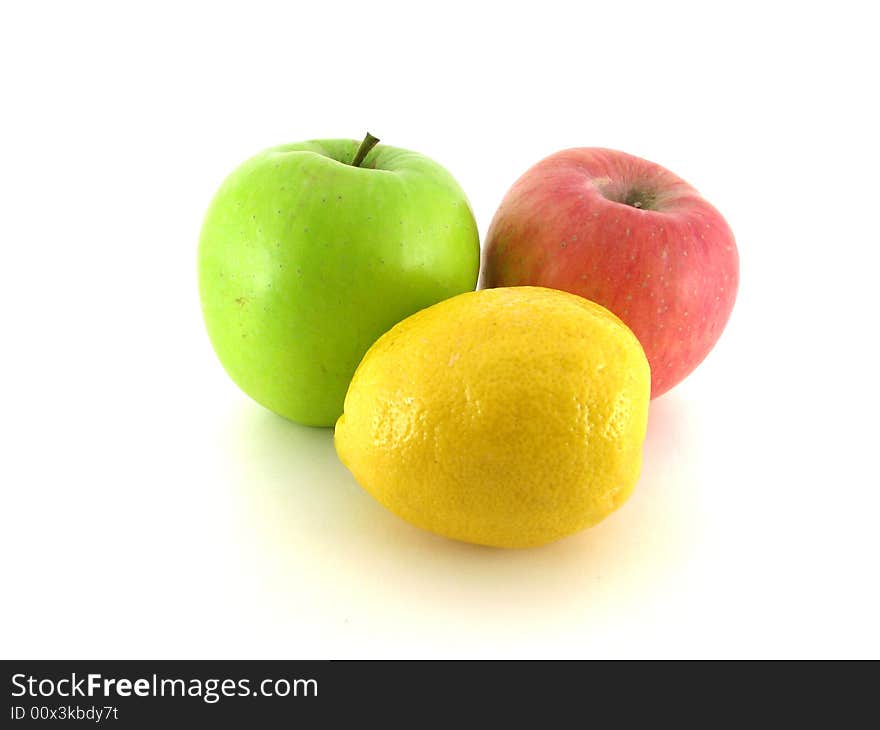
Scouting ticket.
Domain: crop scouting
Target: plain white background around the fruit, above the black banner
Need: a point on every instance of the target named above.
(149, 509)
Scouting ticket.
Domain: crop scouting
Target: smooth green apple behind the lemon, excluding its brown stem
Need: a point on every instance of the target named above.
(304, 261)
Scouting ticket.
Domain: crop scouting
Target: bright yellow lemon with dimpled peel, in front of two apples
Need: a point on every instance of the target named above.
(508, 417)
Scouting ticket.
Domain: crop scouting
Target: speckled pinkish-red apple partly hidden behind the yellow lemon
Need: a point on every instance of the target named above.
(669, 269)
